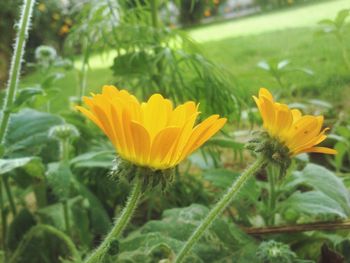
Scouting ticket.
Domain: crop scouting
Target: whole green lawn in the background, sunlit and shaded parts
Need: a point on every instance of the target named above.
(240, 44)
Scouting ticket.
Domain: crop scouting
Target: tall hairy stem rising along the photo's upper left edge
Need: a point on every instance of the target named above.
(15, 68)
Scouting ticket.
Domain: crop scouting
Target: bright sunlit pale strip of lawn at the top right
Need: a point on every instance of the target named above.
(293, 17)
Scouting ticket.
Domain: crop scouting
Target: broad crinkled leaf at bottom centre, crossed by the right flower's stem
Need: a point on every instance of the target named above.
(161, 239)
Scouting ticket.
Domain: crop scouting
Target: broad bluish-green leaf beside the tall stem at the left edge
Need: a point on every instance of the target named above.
(28, 131)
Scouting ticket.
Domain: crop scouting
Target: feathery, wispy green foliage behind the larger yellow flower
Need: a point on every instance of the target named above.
(153, 58)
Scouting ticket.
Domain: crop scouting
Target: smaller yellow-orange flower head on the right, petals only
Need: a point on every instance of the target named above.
(300, 134)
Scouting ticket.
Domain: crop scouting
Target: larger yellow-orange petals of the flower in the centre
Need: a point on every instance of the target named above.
(151, 134)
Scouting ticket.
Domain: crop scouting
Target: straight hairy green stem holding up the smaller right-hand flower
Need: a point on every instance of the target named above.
(219, 208)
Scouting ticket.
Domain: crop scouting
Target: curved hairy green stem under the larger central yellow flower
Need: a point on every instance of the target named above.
(120, 224)
